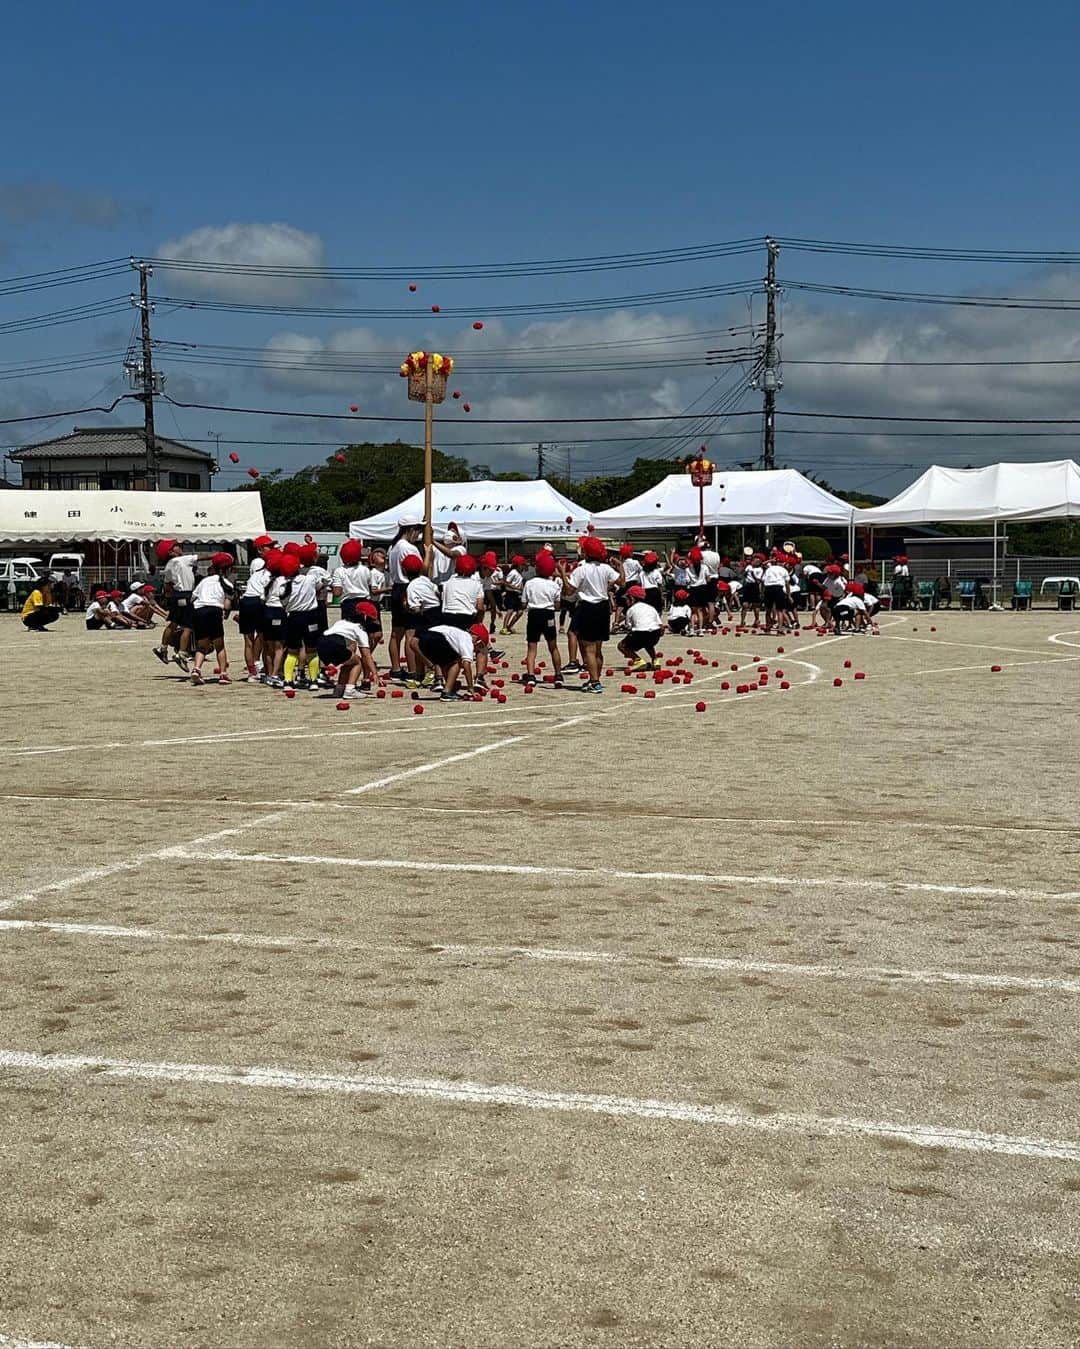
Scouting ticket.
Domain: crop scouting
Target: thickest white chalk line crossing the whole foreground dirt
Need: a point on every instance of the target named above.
(98, 1069)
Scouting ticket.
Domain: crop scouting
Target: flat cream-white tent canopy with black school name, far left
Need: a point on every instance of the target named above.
(37, 517)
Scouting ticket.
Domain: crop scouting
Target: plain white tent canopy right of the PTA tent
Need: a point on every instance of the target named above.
(773, 497)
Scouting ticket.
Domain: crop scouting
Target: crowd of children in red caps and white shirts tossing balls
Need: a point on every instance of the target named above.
(446, 606)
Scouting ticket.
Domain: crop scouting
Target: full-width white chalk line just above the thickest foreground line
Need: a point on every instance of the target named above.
(560, 956)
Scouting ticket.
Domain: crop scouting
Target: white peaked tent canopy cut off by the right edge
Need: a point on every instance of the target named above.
(1000, 492)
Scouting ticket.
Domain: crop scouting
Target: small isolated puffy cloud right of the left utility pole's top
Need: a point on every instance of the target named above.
(261, 245)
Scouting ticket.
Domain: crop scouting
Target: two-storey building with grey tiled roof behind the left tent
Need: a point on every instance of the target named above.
(113, 459)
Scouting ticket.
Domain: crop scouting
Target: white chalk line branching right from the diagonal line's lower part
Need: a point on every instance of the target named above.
(189, 853)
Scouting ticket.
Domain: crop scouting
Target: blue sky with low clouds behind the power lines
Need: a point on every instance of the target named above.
(486, 133)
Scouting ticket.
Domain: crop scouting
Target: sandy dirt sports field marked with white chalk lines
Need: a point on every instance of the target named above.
(572, 1022)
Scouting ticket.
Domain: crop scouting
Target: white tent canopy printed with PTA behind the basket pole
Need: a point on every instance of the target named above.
(486, 511)
